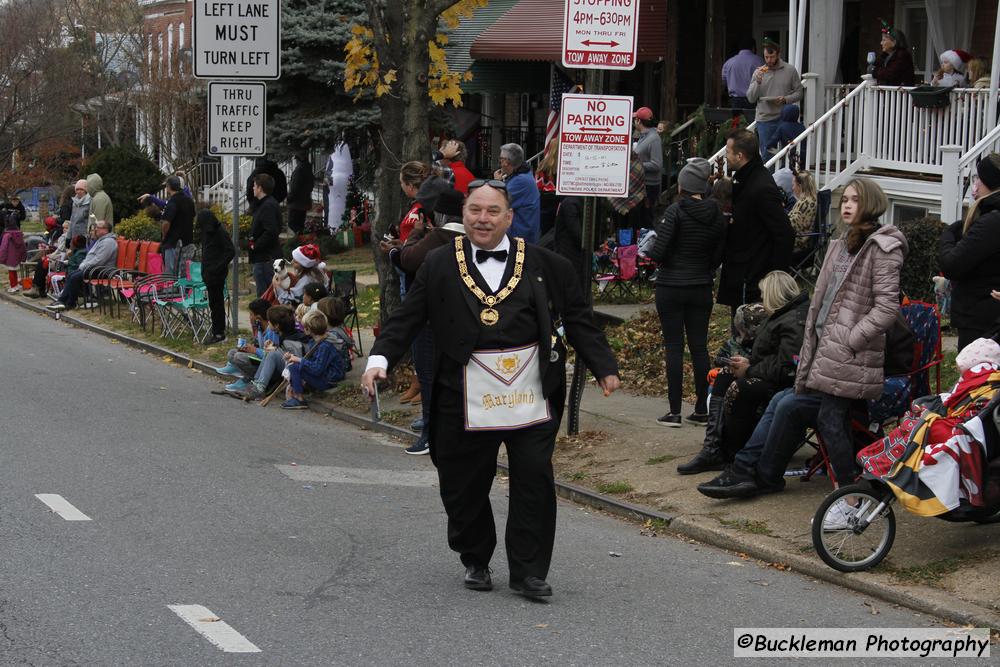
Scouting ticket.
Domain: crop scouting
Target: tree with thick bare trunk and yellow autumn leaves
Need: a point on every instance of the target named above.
(398, 54)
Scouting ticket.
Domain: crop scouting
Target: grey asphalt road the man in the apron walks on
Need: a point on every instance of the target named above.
(196, 499)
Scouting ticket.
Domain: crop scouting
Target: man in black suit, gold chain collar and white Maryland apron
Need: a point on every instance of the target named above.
(499, 310)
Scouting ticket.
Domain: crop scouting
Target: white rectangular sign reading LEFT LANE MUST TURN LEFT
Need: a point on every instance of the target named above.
(237, 39)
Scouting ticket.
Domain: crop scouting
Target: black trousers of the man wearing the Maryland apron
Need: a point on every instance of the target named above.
(466, 463)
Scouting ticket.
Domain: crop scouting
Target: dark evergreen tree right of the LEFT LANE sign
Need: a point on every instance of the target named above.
(308, 106)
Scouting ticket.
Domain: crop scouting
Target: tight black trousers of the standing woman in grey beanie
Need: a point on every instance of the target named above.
(685, 310)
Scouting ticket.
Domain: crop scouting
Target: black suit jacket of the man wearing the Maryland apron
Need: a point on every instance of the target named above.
(439, 296)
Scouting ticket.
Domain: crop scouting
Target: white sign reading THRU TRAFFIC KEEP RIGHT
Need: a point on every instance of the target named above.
(236, 118)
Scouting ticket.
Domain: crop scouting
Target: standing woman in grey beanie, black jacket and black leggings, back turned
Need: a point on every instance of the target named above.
(689, 243)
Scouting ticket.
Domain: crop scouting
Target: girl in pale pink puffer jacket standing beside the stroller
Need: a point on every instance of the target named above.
(856, 300)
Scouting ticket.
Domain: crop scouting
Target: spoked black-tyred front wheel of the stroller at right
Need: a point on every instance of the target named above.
(854, 527)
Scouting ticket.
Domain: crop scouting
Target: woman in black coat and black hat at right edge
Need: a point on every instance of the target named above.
(969, 256)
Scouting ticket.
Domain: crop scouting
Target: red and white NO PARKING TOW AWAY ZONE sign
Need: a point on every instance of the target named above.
(595, 145)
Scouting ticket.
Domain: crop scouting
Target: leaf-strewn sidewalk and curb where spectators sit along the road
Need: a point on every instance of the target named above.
(943, 569)
